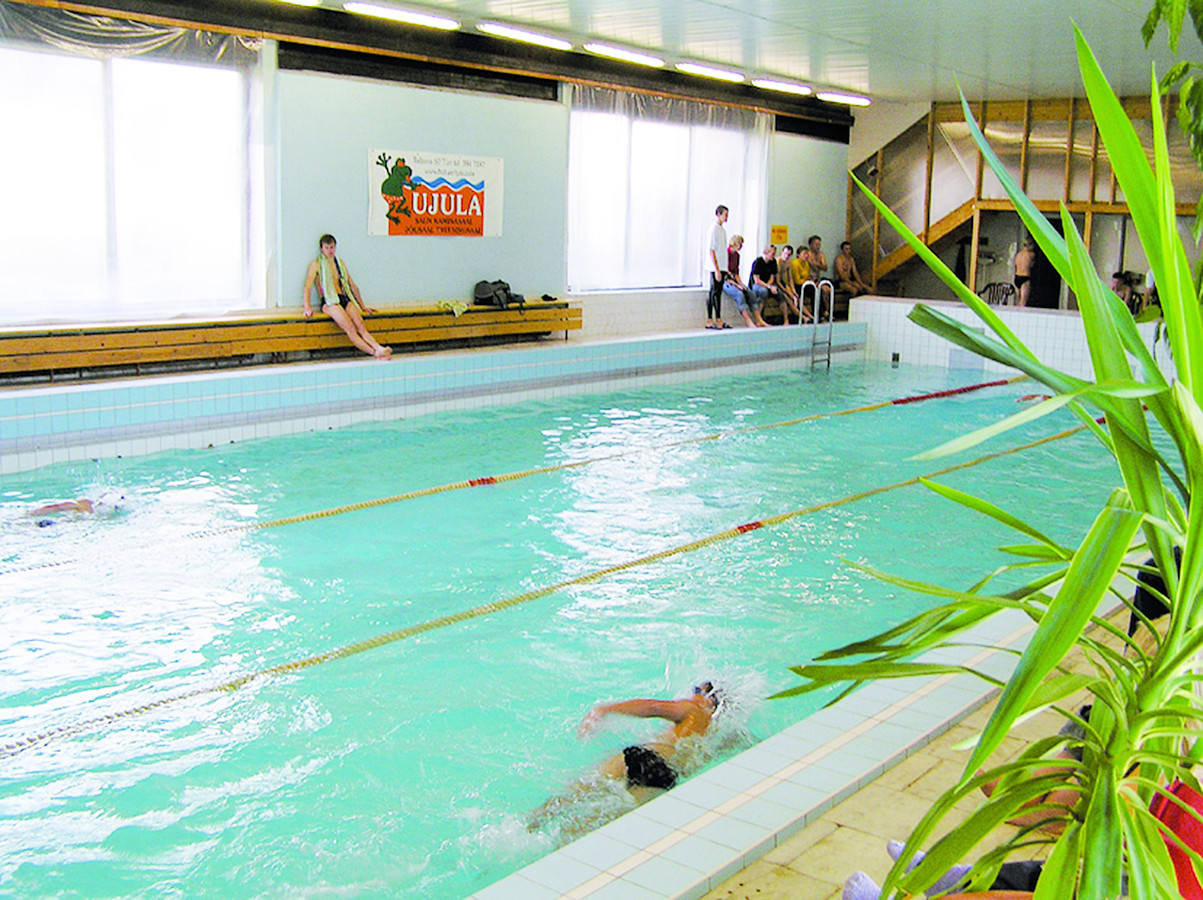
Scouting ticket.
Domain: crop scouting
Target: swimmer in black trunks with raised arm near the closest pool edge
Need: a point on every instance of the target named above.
(648, 769)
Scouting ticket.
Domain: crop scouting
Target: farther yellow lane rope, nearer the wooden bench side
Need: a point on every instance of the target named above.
(541, 471)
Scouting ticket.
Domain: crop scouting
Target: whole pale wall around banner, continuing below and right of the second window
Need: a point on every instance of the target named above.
(327, 125)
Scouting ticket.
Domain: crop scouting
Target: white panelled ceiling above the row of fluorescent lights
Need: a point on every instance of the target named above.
(891, 50)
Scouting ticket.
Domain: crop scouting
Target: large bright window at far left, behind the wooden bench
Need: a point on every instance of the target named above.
(127, 188)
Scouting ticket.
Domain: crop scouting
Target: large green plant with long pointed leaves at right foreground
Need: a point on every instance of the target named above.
(1143, 731)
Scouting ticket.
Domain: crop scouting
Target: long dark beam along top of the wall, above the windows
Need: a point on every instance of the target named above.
(341, 31)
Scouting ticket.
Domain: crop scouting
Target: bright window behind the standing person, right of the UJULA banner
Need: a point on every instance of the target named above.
(644, 177)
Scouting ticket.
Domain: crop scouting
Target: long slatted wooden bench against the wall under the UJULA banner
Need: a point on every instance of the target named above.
(266, 337)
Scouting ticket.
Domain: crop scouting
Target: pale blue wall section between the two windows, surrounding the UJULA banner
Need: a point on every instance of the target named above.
(327, 127)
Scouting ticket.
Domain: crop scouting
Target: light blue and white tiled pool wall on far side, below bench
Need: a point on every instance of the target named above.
(48, 425)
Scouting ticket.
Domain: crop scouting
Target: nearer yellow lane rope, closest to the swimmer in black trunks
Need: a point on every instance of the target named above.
(489, 609)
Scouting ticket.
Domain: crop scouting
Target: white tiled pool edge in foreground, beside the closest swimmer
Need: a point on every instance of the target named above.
(691, 840)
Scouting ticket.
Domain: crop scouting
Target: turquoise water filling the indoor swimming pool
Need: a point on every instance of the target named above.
(408, 771)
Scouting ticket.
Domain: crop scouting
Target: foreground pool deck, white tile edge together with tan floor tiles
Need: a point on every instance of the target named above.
(799, 813)
